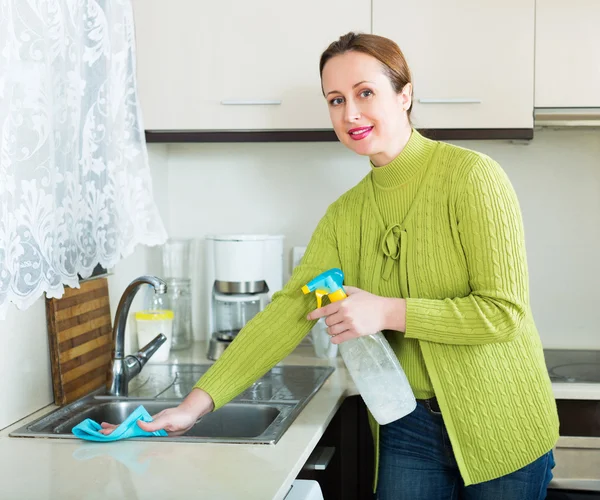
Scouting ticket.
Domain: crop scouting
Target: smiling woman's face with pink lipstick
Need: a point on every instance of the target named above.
(368, 116)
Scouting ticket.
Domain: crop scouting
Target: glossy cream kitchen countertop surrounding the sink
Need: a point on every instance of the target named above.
(67, 469)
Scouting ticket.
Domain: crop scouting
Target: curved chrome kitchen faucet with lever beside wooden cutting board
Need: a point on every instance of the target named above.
(123, 369)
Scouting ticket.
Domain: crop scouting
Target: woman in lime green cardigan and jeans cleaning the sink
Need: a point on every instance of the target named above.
(432, 243)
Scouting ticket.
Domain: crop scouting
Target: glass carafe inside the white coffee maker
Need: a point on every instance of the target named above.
(233, 311)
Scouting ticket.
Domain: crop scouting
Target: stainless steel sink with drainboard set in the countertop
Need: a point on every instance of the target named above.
(260, 415)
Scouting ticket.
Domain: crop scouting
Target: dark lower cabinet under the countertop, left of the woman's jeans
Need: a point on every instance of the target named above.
(350, 472)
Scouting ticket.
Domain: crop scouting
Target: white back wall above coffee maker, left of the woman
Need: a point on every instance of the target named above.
(253, 188)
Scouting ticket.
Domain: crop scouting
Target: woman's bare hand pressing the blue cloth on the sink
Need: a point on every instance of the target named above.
(176, 421)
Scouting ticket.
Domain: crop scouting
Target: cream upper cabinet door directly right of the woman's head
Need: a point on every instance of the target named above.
(471, 61)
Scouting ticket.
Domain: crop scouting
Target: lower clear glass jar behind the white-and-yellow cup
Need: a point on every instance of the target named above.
(179, 297)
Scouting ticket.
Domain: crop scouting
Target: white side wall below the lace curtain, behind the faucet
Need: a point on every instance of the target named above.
(25, 375)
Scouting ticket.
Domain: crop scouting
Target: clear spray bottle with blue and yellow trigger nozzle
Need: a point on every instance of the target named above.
(372, 363)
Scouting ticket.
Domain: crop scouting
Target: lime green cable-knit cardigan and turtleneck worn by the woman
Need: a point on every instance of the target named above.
(454, 248)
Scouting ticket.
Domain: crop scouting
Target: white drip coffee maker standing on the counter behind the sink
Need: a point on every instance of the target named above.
(243, 271)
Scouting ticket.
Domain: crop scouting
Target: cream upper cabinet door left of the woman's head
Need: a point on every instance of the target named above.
(237, 65)
